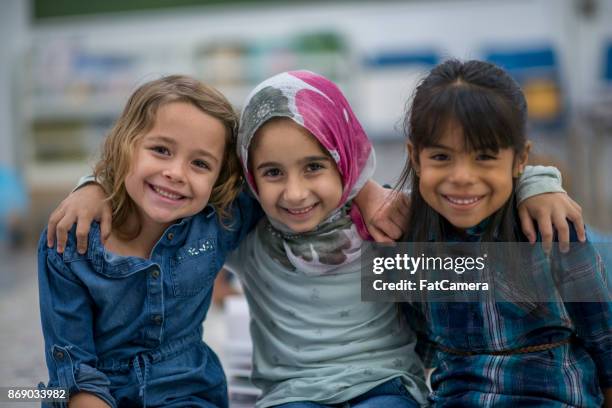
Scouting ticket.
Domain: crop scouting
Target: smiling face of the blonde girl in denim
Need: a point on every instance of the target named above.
(176, 164)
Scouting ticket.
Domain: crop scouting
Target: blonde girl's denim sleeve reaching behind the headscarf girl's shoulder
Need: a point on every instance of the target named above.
(245, 214)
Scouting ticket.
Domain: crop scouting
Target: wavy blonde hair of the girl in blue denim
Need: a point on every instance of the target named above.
(138, 117)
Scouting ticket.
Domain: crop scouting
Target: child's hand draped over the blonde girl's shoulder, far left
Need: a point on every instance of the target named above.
(82, 206)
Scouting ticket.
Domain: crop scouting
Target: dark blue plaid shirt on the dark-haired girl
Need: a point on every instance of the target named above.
(570, 374)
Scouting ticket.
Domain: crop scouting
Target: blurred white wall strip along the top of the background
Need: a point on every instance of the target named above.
(459, 28)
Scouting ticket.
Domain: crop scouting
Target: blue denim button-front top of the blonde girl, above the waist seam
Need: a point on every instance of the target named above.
(100, 310)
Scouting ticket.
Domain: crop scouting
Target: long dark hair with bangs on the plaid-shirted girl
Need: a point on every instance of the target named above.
(491, 110)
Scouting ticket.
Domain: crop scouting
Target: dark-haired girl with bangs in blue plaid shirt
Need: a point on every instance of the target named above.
(467, 147)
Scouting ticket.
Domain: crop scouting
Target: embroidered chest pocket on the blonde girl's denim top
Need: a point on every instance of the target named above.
(194, 268)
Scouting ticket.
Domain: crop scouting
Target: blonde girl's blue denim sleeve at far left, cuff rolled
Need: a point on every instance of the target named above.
(67, 323)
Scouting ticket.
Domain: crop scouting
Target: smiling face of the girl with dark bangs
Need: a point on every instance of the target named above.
(463, 186)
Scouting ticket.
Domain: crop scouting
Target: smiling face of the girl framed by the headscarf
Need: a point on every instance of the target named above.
(298, 183)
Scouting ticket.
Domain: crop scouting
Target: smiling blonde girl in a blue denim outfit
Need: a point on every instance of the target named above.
(123, 323)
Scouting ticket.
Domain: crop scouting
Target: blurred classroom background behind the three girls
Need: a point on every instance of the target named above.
(67, 67)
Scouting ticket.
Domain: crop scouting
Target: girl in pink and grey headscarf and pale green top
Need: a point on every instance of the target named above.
(305, 156)
